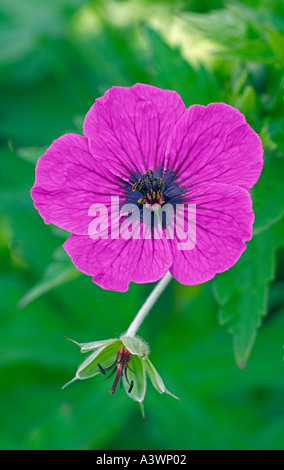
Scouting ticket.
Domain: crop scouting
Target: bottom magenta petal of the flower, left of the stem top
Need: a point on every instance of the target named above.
(114, 263)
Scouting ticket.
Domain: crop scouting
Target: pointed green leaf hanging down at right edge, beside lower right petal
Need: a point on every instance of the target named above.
(242, 291)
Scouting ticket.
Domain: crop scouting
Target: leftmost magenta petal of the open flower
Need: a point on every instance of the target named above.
(69, 180)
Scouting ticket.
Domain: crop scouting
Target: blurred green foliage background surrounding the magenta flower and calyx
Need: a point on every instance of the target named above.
(219, 346)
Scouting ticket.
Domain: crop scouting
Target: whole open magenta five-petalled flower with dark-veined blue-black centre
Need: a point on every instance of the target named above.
(142, 145)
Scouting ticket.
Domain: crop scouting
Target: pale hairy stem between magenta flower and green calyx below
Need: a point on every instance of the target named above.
(146, 307)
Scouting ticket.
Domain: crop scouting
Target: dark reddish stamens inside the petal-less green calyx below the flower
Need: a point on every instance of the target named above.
(120, 366)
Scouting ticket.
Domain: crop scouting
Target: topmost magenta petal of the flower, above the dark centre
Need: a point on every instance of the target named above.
(128, 127)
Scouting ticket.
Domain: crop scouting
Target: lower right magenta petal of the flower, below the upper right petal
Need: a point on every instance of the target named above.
(224, 219)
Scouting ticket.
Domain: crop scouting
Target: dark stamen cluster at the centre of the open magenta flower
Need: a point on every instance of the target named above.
(150, 188)
